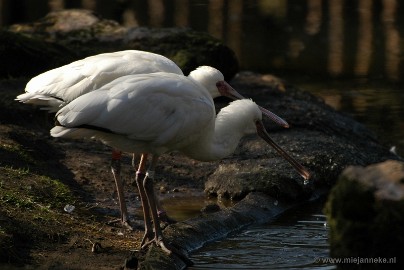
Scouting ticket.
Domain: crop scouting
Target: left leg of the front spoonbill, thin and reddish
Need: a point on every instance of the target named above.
(140, 175)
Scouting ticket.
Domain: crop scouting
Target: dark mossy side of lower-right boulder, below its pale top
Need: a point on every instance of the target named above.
(361, 225)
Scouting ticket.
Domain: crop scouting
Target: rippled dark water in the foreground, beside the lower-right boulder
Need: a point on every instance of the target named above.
(296, 241)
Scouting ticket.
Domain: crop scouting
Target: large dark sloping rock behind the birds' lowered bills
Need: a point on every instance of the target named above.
(322, 139)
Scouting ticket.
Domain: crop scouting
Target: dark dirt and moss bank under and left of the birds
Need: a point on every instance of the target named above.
(40, 175)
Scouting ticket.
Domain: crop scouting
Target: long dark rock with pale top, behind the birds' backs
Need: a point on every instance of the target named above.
(85, 34)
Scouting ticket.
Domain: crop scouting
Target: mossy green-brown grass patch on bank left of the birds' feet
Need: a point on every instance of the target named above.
(32, 219)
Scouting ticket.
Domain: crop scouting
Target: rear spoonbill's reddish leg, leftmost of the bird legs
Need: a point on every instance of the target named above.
(116, 172)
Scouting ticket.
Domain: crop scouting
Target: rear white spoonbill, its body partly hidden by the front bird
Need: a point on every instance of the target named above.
(56, 88)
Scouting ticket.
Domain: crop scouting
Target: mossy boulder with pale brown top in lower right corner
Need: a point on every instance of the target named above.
(365, 212)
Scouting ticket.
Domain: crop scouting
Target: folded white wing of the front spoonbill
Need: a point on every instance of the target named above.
(160, 109)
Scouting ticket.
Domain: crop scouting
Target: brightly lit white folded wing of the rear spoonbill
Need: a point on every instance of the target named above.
(75, 79)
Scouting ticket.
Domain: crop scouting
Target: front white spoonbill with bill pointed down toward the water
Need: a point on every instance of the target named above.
(161, 112)
